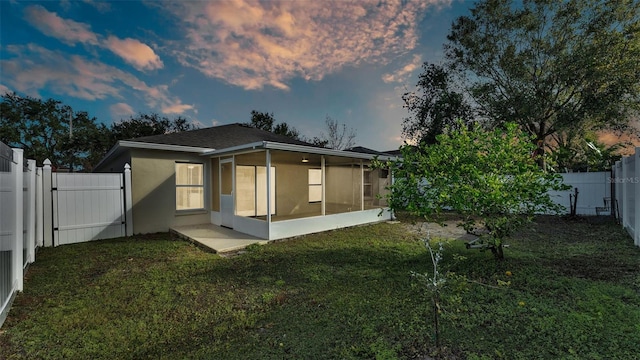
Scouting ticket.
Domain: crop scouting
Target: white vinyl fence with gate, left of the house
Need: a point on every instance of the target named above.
(39, 207)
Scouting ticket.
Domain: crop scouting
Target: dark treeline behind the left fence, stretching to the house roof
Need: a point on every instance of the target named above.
(71, 139)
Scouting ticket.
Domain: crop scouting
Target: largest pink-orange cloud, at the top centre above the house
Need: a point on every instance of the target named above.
(252, 44)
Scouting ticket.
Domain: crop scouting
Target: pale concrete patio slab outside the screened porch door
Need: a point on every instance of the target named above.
(216, 238)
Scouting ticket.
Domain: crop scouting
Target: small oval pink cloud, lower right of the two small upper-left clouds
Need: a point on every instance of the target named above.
(134, 52)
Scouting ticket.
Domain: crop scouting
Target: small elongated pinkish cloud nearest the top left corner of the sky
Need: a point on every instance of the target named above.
(67, 31)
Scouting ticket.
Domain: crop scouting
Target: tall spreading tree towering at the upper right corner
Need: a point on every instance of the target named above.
(551, 65)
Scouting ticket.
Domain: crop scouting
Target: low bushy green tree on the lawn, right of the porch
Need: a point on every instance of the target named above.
(489, 177)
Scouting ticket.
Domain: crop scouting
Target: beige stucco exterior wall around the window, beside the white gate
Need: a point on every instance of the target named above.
(154, 192)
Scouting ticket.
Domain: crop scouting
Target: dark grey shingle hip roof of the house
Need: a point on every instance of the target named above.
(219, 137)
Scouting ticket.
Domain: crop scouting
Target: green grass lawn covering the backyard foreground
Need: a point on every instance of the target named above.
(574, 292)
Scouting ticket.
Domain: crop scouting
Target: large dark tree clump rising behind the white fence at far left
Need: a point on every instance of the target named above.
(43, 129)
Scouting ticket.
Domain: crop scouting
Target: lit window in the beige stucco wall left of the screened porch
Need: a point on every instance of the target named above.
(189, 186)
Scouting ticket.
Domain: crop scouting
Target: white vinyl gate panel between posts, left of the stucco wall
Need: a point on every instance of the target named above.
(87, 207)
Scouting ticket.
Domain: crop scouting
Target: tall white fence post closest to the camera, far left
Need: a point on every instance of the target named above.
(18, 259)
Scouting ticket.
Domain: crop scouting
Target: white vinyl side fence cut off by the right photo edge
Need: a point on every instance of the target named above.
(626, 180)
